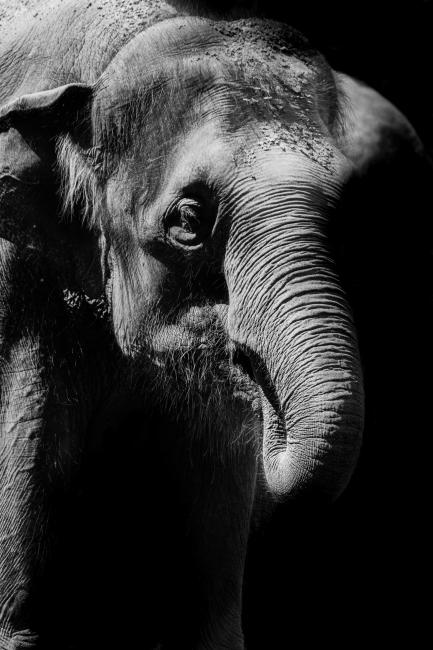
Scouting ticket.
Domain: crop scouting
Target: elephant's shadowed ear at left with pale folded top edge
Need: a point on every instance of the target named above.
(29, 184)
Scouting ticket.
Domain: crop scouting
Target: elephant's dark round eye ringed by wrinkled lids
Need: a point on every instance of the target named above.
(186, 223)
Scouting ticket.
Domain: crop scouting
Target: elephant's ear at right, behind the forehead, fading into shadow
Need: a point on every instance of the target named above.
(373, 130)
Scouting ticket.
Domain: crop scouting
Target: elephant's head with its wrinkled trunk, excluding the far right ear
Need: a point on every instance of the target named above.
(206, 160)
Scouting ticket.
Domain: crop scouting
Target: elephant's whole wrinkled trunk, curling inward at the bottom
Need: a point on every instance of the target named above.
(288, 314)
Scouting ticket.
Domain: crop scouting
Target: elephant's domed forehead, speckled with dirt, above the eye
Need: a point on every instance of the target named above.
(254, 83)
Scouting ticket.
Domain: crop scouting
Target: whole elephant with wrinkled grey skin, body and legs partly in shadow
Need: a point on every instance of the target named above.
(199, 163)
